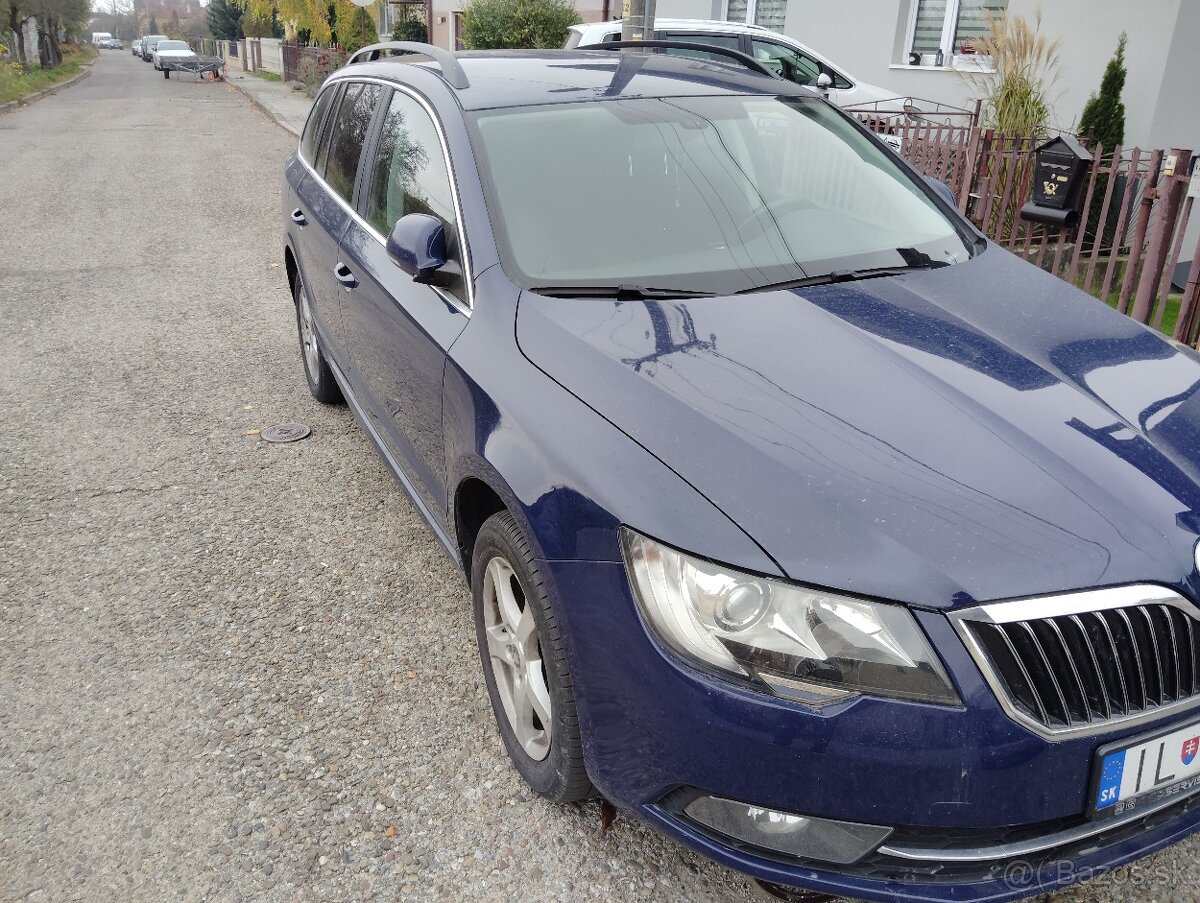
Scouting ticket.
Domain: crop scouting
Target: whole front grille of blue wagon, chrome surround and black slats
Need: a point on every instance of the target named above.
(1083, 662)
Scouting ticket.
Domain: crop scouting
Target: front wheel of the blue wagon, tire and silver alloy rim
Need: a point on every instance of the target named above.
(519, 635)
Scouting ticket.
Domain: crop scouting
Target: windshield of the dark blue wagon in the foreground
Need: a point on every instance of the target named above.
(717, 194)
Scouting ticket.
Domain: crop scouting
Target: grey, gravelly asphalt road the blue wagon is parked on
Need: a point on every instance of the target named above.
(231, 669)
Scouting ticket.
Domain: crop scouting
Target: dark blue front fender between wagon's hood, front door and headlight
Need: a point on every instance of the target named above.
(569, 476)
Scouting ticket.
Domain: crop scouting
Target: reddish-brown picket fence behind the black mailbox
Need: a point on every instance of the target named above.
(1131, 234)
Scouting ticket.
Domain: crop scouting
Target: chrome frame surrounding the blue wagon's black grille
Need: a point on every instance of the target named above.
(1073, 603)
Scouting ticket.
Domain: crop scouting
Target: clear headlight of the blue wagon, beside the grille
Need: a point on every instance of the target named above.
(807, 644)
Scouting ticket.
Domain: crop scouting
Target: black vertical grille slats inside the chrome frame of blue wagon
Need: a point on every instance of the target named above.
(1084, 669)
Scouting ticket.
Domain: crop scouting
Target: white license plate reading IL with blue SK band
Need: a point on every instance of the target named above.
(1139, 774)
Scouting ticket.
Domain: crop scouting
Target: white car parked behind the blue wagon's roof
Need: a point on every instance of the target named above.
(787, 57)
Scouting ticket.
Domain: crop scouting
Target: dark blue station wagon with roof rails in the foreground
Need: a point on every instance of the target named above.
(800, 521)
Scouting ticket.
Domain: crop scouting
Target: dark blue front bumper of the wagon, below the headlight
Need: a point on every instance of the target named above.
(957, 779)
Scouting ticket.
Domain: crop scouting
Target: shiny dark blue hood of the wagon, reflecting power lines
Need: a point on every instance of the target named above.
(981, 432)
